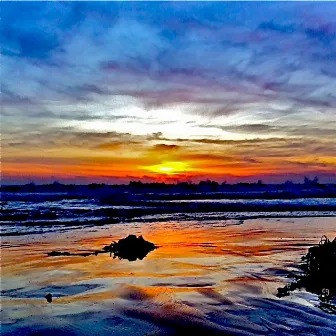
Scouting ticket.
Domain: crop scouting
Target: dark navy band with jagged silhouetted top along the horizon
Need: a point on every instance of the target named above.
(136, 190)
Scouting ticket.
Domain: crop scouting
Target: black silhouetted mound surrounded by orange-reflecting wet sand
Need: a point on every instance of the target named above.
(130, 248)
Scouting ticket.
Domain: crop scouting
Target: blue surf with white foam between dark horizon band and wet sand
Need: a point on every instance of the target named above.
(27, 213)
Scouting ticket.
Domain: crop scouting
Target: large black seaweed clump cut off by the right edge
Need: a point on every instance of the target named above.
(318, 274)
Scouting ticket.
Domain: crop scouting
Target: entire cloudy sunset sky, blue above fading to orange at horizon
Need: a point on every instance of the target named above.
(168, 91)
